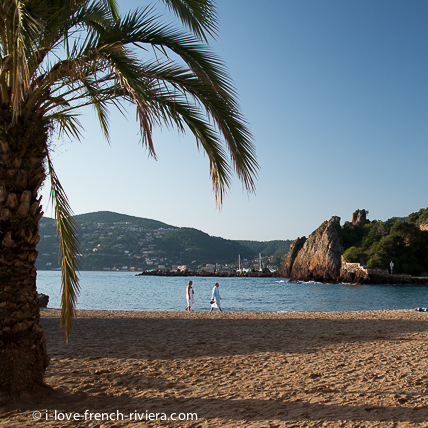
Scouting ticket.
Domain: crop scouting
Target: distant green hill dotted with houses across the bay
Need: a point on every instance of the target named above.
(116, 241)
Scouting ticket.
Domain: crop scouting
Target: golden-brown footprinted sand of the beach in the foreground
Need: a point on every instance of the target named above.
(334, 369)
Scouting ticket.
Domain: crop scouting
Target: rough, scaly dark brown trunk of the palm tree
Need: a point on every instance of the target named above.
(23, 357)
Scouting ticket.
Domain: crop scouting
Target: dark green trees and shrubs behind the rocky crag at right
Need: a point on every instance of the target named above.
(397, 240)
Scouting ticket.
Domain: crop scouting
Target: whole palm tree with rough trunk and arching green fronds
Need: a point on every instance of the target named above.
(57, 56)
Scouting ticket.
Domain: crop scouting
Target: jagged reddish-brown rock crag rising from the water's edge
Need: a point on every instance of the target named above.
(317, 258)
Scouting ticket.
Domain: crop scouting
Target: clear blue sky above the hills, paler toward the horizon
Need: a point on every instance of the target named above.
(336, 95)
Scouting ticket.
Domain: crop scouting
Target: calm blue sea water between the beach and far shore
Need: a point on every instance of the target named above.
(125, 291)
